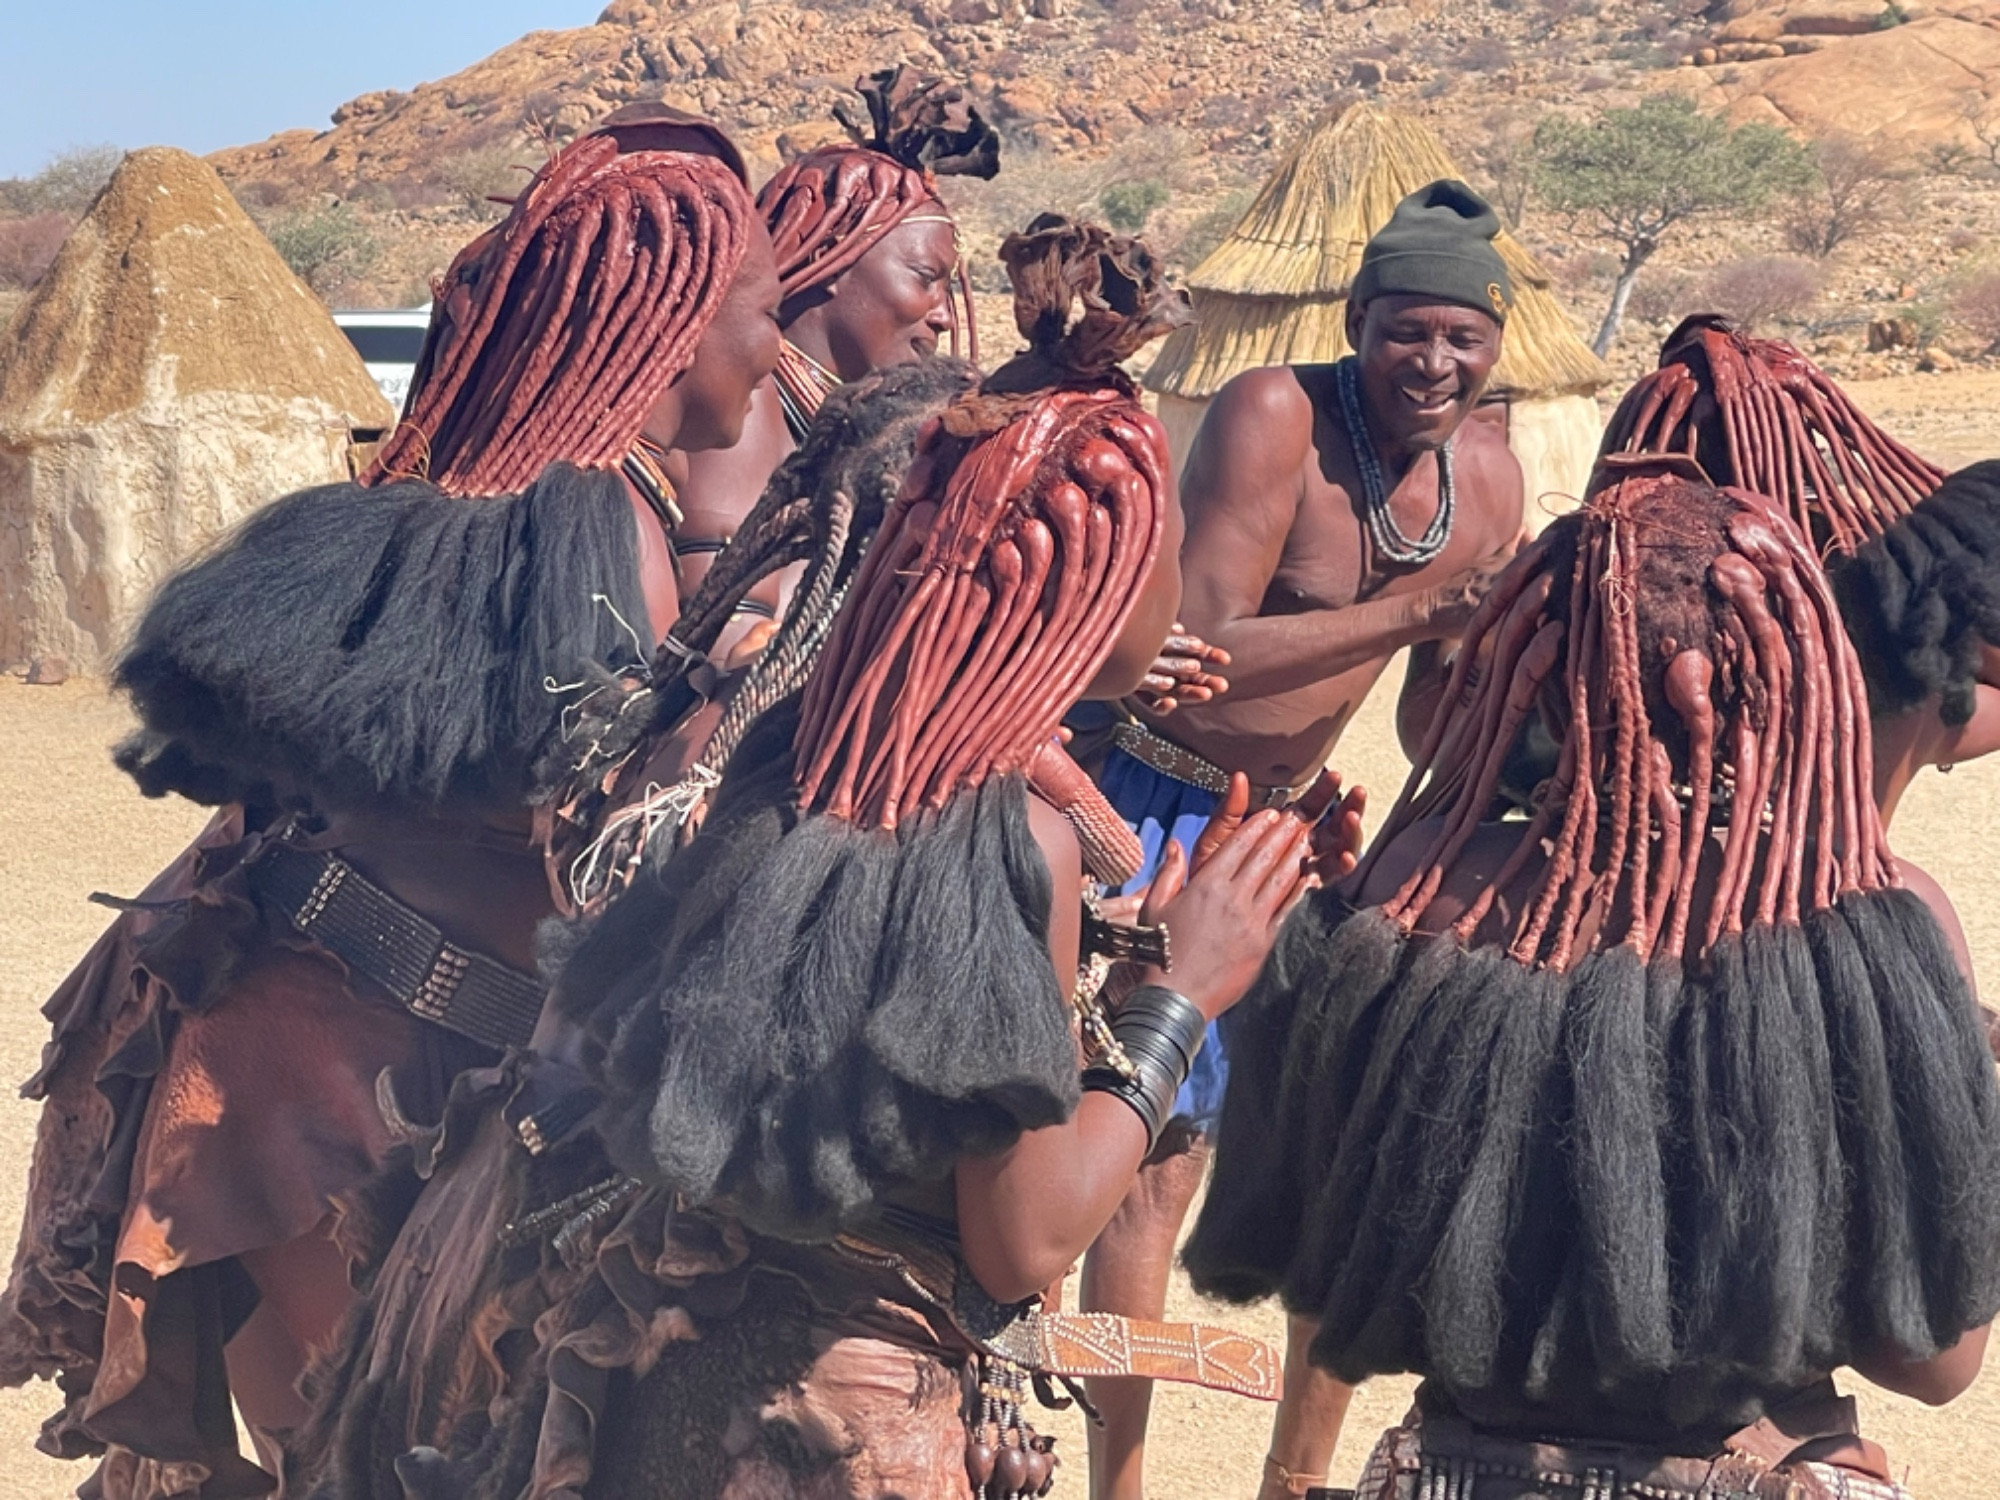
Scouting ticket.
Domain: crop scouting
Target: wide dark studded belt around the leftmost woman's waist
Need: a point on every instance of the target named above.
(397, 949)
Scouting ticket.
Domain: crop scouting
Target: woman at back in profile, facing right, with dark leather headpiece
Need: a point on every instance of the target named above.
(873, 277)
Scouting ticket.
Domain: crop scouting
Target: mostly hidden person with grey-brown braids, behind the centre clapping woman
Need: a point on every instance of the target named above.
(441, 1345)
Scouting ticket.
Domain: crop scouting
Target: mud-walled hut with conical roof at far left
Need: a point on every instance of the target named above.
(167, 377)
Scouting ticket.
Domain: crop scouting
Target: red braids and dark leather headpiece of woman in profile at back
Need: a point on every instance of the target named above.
(833, 205)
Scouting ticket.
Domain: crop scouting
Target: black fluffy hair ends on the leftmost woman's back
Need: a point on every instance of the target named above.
(383, 643)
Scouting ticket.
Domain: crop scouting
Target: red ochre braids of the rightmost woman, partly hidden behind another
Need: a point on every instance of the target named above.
(1759, 415)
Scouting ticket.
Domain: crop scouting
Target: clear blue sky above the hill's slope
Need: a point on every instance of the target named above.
(219, 73)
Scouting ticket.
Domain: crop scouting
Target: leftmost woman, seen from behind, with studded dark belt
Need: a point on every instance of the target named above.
(363, 677)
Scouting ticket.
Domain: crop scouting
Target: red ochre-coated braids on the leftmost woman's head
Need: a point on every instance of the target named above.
(559, 331)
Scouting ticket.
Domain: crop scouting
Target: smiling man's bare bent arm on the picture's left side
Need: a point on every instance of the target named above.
(1243, 489)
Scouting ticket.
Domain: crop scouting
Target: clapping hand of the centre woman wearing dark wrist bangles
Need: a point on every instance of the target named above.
(1225, 917)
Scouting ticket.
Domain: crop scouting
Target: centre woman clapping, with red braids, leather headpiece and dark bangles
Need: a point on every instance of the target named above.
(835, 1035)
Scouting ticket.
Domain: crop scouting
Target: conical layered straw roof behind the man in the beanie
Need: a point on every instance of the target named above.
(1275, 291)
